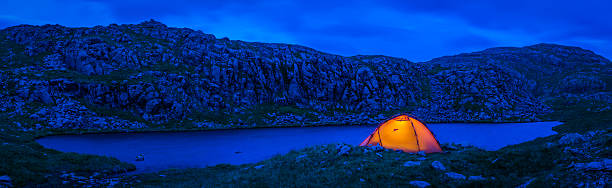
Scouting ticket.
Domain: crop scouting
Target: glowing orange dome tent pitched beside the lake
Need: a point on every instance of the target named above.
(403, 133)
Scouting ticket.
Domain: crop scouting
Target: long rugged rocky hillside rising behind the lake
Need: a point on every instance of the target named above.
(148, 74)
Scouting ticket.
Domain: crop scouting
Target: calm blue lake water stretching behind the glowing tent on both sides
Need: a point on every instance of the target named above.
(200, 149)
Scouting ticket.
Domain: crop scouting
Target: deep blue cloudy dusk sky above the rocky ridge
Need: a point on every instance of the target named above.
(414, 30)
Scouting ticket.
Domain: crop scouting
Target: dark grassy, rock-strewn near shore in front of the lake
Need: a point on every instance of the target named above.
(28, 163)
